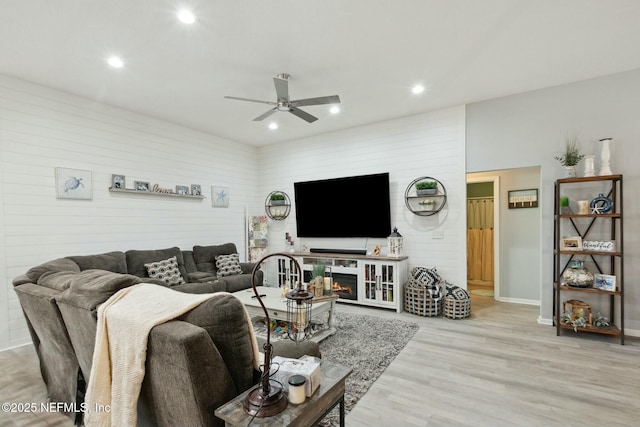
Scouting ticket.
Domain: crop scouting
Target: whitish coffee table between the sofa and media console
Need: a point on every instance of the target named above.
(277, 307)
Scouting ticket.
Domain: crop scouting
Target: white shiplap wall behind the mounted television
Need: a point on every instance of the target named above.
(429, 144)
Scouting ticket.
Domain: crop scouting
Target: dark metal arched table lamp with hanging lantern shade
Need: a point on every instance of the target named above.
(268, 398)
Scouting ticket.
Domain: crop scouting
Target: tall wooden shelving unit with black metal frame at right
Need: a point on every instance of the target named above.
(607, 227)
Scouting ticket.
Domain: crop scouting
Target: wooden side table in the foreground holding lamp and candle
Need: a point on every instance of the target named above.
(326, 397)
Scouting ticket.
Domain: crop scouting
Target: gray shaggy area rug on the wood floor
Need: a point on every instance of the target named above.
(368, 345)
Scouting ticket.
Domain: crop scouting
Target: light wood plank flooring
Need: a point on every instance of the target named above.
(496, 368)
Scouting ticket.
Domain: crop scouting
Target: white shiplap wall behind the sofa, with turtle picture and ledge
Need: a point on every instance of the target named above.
(41, 129)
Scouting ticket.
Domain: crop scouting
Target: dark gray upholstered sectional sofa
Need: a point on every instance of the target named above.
(194, 363)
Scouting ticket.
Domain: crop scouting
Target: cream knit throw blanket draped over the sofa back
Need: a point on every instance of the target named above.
(124, 323)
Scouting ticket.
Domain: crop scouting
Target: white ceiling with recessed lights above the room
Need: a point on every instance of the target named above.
(370, 52)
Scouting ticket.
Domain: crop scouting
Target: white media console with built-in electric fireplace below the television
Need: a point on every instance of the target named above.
(357, 279)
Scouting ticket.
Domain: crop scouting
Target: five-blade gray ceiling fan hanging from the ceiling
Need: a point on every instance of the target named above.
(283, 103)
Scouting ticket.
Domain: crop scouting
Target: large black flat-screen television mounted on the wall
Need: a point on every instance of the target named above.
(355, 206)
